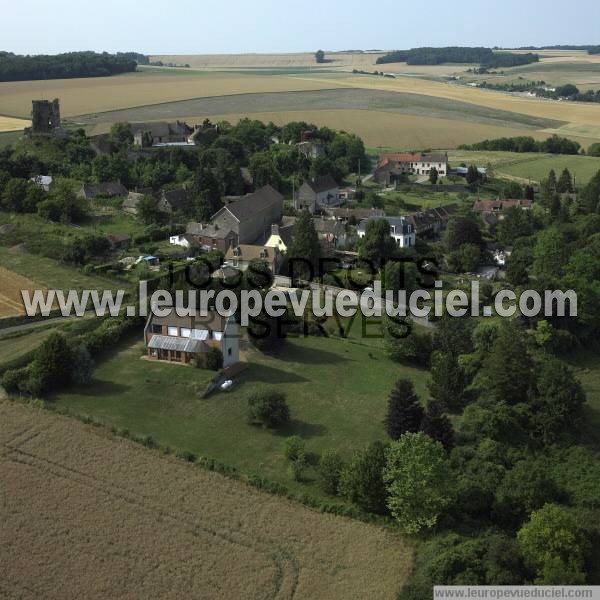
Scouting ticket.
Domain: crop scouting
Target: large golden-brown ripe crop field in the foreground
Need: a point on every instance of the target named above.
(124, 521)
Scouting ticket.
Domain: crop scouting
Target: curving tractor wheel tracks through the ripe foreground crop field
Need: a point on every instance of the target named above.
(286, 565)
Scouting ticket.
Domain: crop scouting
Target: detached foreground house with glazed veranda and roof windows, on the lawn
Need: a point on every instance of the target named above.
(182, 339)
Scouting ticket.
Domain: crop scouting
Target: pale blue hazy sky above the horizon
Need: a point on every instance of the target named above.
(265, 26)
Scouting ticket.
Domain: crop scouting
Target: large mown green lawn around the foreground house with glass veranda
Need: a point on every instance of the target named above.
(337, 392)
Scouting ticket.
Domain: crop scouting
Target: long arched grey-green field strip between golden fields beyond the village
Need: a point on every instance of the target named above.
(325, 99)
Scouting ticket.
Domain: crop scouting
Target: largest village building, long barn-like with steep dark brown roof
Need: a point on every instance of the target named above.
(251, 217)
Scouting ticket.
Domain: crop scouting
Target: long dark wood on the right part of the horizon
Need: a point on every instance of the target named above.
(486, 57)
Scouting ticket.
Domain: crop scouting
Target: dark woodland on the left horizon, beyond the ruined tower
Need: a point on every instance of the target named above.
(15, 67)
